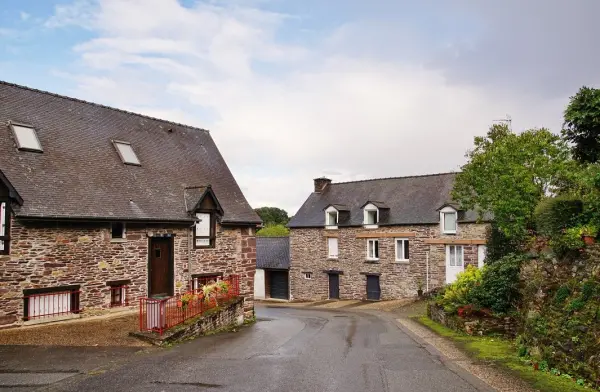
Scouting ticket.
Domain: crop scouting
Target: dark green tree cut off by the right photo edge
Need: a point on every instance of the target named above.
(582, 124)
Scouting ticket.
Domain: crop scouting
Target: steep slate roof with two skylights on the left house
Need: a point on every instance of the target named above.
(80, 175)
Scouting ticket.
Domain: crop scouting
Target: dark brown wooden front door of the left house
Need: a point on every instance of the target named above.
(160, 267)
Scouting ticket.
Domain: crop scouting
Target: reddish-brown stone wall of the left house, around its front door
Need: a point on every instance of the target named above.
(45, 255)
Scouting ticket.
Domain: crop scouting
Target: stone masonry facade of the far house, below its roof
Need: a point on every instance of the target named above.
(308, 253)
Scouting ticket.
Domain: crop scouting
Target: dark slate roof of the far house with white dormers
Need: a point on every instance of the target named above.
(411, 200)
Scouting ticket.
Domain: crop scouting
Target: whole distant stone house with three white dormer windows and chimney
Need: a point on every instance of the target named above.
(381, 239)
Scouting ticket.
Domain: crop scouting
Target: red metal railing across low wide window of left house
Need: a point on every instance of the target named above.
(47, 305)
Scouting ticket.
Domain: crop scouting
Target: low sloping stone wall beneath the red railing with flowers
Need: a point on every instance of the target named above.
(228, 315)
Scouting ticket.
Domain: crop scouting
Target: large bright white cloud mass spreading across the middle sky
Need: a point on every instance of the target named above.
(283, 114)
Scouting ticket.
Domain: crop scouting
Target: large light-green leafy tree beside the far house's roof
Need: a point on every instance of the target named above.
(507, 174)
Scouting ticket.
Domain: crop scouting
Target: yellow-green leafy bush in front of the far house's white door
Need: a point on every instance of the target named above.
(460, 293)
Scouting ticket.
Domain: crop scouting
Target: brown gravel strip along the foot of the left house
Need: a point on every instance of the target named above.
(93, 332)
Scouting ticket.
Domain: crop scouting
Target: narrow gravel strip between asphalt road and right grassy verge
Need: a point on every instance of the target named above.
(494, 377)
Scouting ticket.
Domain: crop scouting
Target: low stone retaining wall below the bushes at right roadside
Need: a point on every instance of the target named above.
(506, 326)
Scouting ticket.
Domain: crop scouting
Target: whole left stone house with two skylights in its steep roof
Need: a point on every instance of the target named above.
(100, 207)
